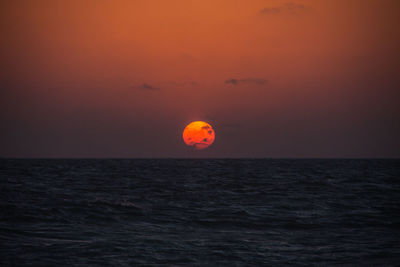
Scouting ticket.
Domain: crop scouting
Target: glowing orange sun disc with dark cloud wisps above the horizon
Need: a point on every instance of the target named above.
(198, 134)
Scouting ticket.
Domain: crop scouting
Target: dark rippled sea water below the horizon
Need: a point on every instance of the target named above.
(217, 212)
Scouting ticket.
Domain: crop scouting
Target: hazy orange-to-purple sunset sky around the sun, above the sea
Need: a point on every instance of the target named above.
(122, 79)
